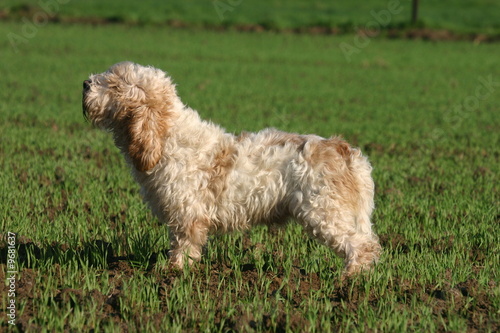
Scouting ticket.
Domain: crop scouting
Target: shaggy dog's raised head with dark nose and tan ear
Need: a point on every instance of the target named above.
(135, 103)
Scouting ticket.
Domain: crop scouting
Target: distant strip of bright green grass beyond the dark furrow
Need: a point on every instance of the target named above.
(464, 16)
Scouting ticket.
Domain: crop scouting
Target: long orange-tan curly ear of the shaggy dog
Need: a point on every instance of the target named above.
(146, 130)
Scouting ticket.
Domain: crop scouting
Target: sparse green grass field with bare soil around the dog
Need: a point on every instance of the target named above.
(425, 114)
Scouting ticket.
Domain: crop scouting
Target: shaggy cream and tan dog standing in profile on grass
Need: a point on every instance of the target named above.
(199, 179)
